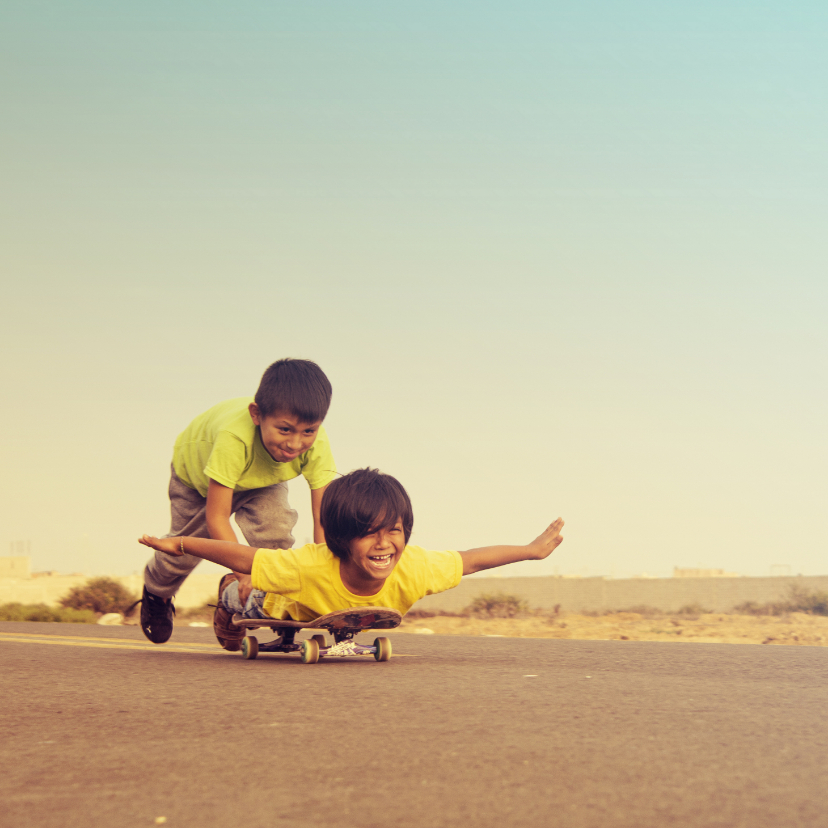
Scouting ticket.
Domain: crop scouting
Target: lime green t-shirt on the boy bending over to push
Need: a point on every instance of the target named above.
(224, 444)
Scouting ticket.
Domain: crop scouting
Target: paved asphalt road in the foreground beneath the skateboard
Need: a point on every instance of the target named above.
(101, 728)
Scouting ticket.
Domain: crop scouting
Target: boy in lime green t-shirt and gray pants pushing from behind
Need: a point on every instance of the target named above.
(235, 459)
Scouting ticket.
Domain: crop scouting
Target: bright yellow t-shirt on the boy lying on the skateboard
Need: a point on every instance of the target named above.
(304, 583)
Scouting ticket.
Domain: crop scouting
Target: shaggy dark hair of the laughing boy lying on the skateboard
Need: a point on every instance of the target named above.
(359, 503)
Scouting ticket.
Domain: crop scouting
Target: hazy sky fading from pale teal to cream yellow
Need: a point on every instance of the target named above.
(555, 258)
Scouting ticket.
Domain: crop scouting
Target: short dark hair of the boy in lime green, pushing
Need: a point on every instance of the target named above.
(294, 386)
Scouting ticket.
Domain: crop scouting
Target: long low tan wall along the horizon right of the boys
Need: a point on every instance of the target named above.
(597, 594)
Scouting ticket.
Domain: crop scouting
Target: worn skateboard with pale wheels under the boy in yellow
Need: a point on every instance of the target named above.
(343, 625)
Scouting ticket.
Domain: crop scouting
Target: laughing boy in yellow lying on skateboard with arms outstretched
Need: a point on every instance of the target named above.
(367, 562)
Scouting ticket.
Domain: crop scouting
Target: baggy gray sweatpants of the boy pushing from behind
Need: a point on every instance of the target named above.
(263, 515)
